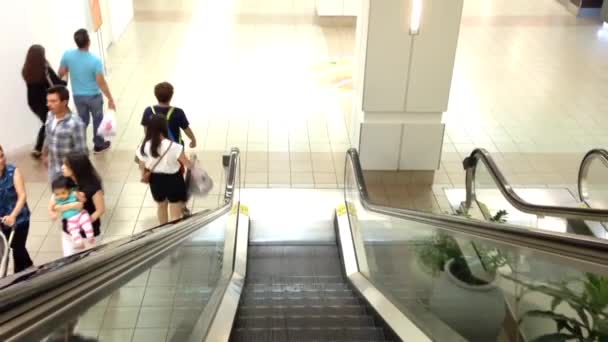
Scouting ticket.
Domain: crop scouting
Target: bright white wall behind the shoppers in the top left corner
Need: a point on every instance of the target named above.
(43, 22)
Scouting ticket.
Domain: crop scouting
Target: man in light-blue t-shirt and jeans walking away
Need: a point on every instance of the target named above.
(88, 82)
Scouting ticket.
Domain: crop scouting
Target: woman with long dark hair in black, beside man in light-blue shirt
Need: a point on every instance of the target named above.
(39, 77)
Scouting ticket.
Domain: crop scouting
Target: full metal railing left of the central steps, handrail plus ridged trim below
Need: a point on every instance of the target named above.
(35, 299)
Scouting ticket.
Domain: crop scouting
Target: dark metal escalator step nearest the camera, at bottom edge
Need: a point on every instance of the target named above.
(308, 335)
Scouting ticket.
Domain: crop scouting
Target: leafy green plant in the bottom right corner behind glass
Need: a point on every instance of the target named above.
(583, 318)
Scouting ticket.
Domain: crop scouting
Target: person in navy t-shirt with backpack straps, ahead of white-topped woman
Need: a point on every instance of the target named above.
(176, 118)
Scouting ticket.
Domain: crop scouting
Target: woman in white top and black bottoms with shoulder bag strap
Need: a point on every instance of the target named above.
(160, 160)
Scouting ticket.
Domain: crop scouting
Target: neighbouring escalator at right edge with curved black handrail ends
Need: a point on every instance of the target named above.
(585, 215)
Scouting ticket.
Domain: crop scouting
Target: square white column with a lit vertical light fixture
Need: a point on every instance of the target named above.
(402, 81)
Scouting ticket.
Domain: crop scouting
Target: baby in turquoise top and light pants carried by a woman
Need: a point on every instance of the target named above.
(64, 193)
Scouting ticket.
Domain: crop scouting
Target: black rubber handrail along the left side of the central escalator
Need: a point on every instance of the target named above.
(47, 277)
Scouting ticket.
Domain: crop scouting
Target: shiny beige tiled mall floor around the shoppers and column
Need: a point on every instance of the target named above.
(528, 86)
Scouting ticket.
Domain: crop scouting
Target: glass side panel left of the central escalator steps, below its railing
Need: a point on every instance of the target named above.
(163, 303)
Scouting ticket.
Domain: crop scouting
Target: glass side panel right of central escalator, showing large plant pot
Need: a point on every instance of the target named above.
(458, 288)
